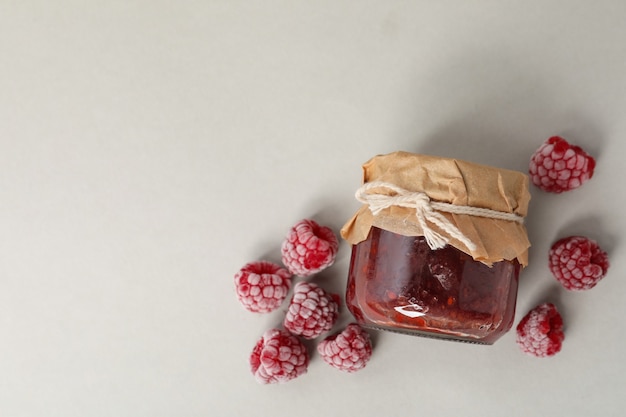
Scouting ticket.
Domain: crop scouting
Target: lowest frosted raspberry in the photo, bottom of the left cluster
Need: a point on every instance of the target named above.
(278, 357)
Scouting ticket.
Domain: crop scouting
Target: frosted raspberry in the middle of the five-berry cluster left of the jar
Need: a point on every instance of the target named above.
(312, 311)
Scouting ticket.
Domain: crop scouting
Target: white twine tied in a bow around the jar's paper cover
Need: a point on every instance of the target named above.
(427, 211)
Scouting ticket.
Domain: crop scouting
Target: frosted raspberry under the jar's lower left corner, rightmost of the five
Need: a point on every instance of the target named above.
(347, 351)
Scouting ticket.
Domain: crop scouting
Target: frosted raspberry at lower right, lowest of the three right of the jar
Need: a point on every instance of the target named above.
(540, 332)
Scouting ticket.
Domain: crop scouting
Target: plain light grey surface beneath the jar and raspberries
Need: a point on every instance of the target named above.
(151, 148)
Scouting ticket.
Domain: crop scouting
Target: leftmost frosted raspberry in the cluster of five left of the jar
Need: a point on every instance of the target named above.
(262, 286)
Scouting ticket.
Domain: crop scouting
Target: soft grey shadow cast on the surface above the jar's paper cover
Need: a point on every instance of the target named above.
(494, 107)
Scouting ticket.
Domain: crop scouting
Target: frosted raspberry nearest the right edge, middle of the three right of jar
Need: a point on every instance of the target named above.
(578, 263)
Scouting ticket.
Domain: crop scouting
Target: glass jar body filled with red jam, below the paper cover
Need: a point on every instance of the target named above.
(398, 283)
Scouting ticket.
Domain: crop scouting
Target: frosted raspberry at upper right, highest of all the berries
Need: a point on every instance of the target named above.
(558, 166)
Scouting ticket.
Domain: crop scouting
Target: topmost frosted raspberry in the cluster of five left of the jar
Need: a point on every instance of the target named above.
(309, 248)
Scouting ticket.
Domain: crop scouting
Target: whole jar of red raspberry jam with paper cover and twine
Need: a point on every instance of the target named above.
(437, 247)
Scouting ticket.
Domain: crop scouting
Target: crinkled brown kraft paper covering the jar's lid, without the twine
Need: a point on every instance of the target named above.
(457, 182)
